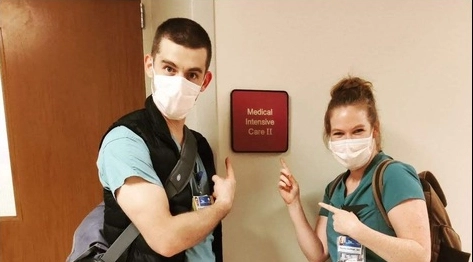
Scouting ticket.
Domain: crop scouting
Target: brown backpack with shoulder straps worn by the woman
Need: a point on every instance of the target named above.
(445, 242)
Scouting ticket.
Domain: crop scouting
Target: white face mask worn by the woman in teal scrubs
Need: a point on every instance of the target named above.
(352, 153)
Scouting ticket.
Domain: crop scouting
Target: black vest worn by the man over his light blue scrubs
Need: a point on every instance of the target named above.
(150, 125)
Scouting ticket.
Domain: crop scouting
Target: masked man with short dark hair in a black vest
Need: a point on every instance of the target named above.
(139, 151)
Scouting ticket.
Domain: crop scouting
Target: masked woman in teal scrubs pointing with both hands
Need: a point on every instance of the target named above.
(349, 226)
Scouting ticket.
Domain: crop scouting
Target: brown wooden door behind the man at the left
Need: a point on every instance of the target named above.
(69, 69)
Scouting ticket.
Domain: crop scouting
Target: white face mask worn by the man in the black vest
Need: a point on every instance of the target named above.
(174, 96)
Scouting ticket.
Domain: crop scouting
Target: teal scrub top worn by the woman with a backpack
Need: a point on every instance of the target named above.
(400, 182)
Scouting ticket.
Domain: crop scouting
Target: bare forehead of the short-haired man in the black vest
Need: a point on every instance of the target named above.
(184, 58)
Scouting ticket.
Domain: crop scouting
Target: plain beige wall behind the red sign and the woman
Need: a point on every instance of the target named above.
(416, 53)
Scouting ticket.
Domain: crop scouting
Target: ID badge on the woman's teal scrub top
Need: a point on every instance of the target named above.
(349, 250)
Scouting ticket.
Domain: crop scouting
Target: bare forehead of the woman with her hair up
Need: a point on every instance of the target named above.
(348, 117)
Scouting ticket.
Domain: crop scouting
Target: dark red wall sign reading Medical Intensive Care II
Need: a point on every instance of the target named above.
(259, 120)
